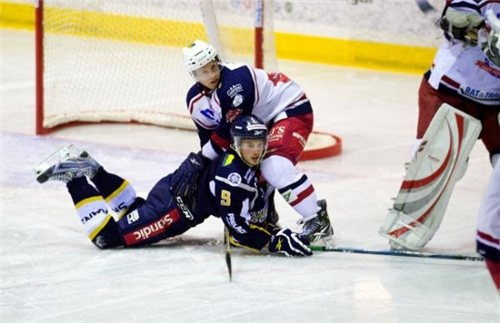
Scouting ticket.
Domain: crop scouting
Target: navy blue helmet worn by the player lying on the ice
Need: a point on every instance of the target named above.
(247, 127)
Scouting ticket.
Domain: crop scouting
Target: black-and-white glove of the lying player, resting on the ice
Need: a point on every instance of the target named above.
(289, 244)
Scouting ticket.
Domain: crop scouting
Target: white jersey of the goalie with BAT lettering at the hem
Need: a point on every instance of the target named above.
(466, 69)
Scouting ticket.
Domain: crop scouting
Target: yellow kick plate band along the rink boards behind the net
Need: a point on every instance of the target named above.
(355, 53)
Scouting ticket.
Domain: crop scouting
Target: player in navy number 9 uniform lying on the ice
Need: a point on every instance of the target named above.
(229, 188)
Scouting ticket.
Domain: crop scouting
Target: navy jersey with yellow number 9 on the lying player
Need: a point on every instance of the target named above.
(231, 190)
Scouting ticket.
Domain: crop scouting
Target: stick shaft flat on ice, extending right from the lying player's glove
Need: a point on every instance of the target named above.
(399, 253)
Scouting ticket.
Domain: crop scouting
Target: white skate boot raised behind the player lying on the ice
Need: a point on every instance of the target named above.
(65, 164)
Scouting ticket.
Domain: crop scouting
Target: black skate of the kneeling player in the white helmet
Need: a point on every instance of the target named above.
(319, 227)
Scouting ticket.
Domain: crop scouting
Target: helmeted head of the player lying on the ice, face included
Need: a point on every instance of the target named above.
(249, 139)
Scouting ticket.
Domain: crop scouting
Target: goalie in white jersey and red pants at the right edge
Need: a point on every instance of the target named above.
(465, 74)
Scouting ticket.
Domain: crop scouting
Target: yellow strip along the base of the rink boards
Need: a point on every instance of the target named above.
(307, 48)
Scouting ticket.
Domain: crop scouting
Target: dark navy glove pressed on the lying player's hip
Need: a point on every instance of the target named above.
(184, 180)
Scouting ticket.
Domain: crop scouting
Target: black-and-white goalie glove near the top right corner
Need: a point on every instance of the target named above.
(461, 25)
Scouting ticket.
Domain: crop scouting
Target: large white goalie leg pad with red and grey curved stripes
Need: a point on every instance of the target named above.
(439, 162)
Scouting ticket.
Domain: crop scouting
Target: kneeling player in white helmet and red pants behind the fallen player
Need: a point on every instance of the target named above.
(222, 92)
